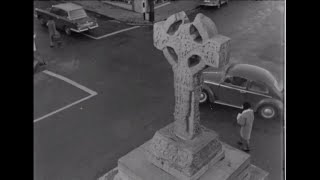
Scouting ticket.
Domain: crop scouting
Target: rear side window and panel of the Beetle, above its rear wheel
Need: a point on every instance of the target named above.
(257, 91)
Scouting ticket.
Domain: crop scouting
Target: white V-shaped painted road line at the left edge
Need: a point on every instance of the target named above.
(91, 92)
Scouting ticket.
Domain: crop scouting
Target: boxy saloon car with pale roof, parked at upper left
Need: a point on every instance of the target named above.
(68, 17)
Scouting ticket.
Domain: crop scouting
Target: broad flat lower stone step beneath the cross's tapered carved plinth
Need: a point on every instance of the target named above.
(234, 166)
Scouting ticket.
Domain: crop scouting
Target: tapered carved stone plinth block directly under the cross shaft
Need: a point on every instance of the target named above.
(184, 159)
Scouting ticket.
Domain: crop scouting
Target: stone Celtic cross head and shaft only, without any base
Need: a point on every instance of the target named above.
(190, 47)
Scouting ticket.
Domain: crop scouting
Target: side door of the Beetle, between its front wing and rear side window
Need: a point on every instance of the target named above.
(232, 91)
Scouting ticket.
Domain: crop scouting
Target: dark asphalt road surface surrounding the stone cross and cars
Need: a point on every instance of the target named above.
(134, 86)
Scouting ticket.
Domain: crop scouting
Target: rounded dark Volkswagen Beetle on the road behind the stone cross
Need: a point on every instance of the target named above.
(241, 83)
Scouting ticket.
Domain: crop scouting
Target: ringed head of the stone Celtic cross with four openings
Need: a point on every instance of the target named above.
(191, 44)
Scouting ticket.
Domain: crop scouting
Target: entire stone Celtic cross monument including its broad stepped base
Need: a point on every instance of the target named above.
(184, 149)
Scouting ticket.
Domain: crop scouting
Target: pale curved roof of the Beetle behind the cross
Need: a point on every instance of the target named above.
(253, 73)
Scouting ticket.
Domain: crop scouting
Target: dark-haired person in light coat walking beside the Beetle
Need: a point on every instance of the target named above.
(245, 120)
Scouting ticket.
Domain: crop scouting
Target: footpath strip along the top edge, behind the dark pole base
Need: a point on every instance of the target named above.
(134, 18)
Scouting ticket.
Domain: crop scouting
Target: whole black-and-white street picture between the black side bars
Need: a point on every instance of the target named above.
(159, 90)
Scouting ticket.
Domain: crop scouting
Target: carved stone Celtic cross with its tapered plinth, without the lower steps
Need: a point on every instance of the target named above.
(185, 148)
